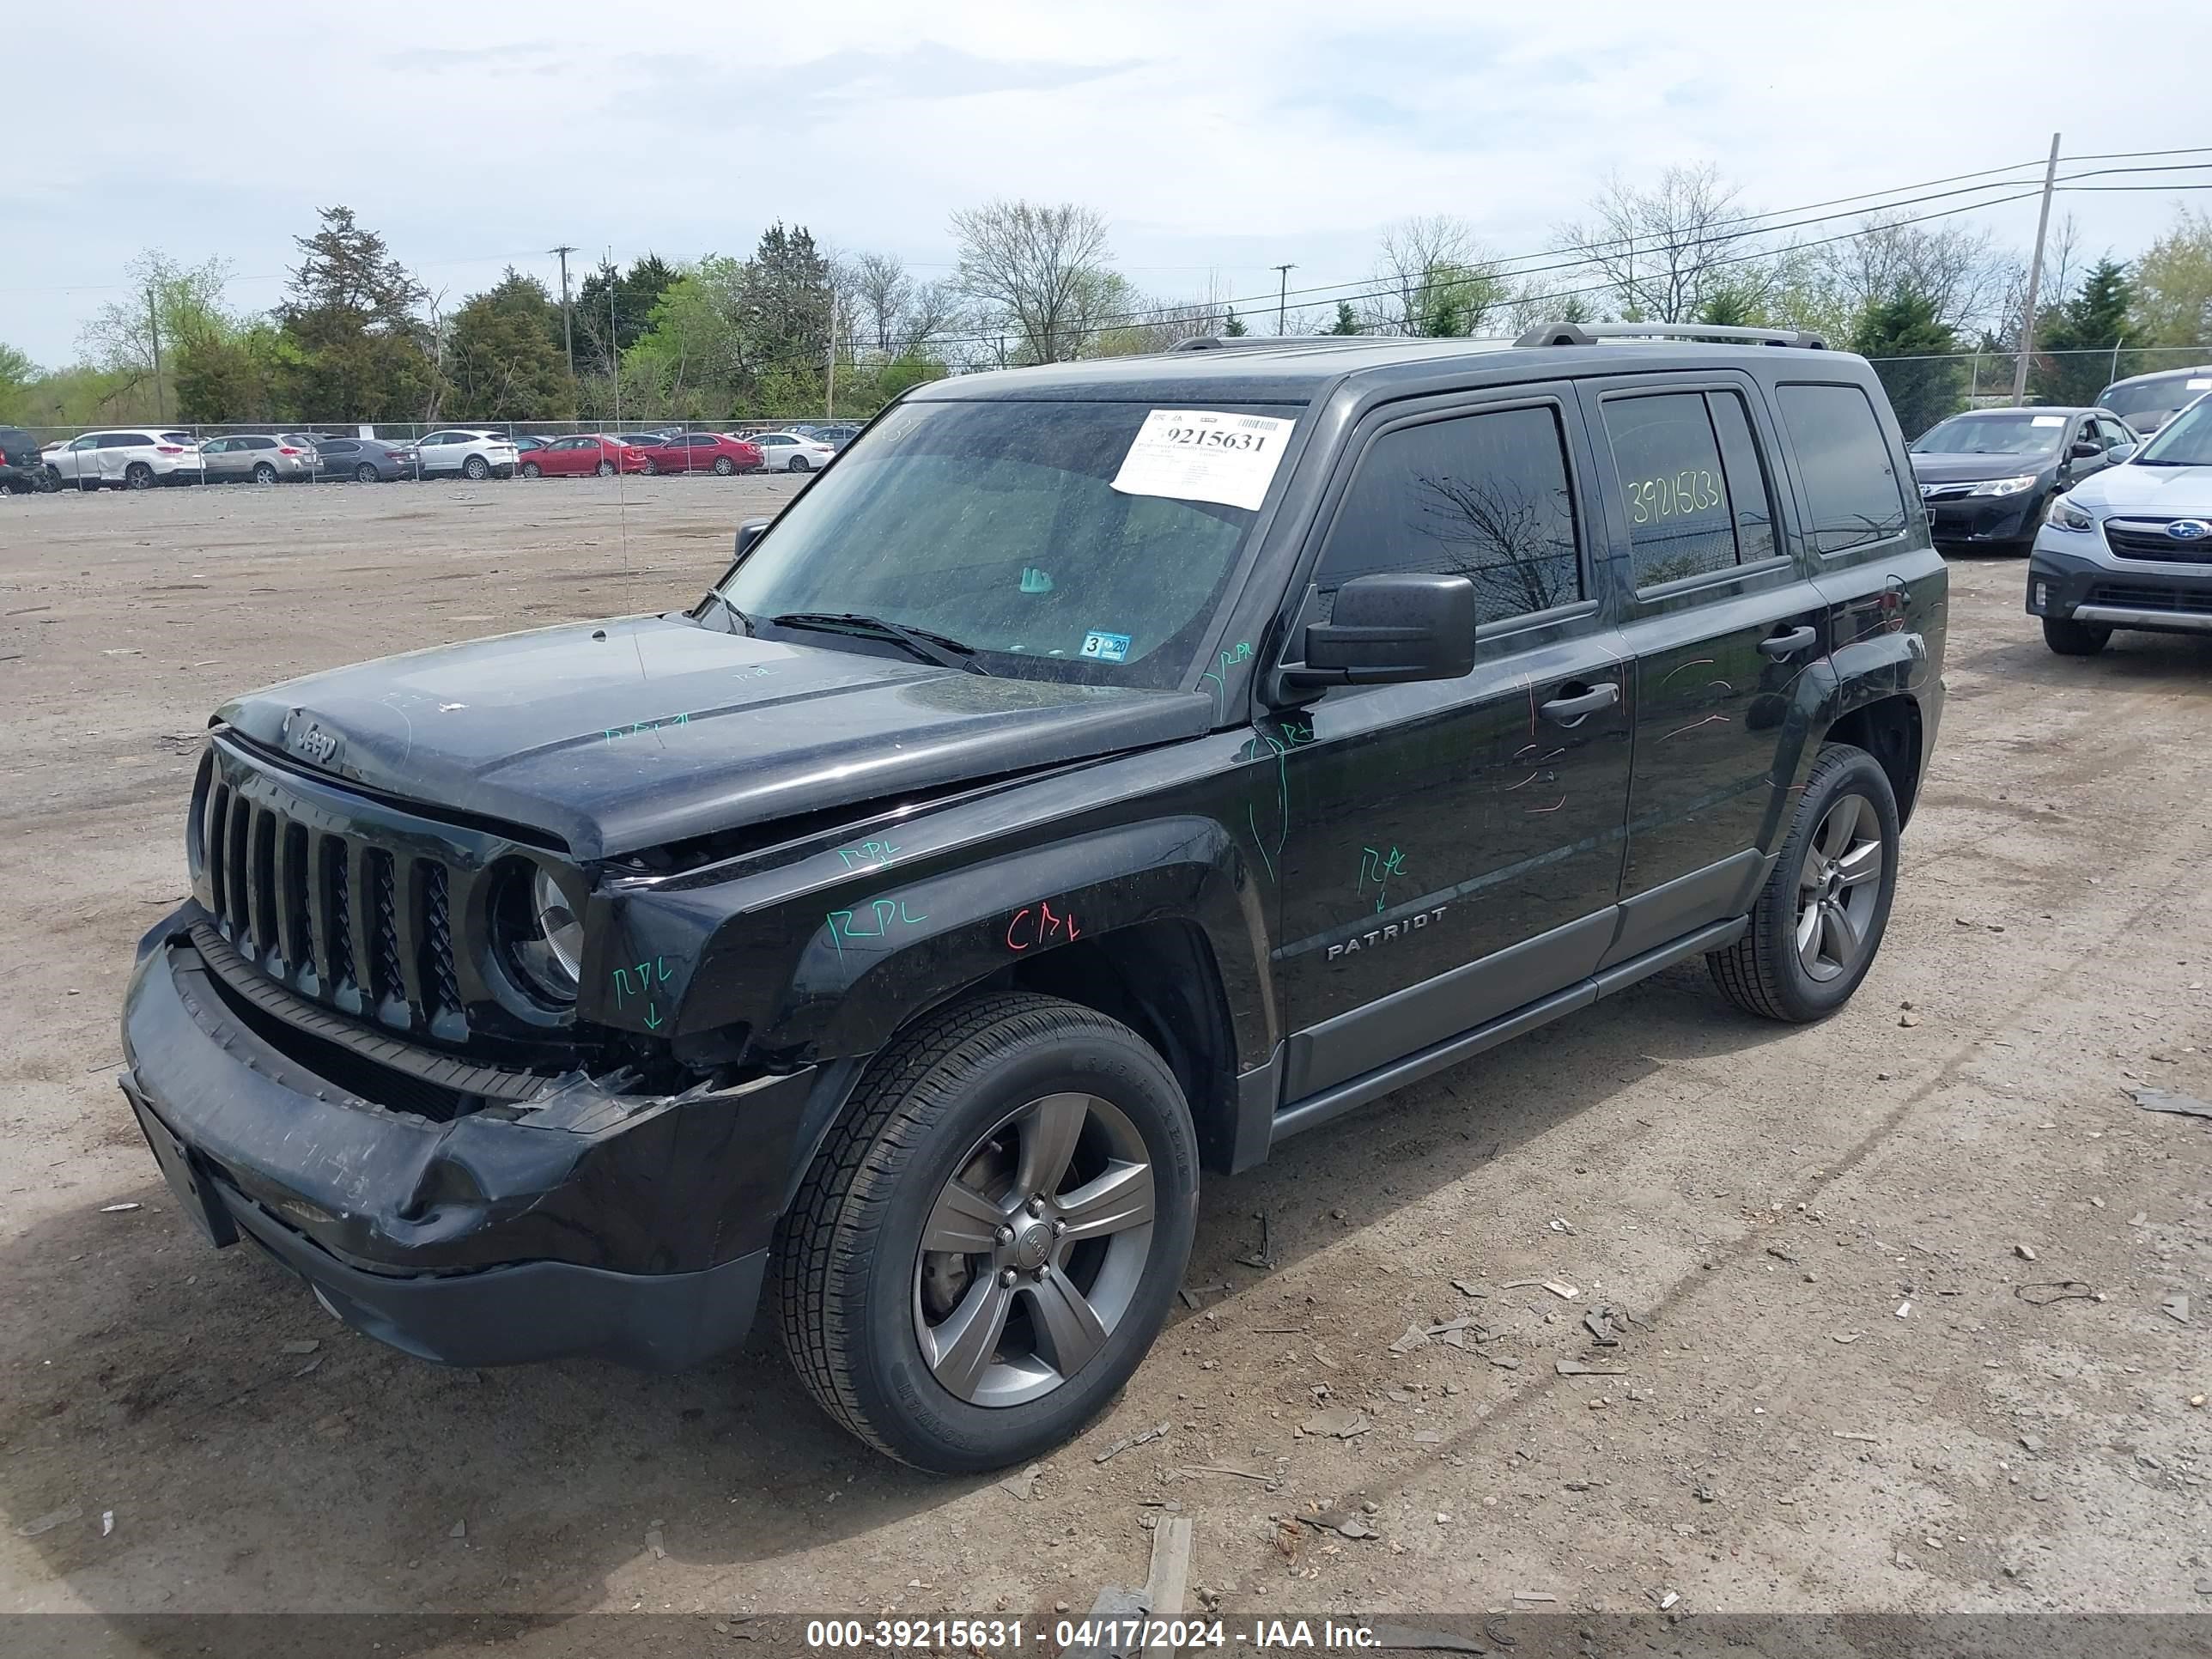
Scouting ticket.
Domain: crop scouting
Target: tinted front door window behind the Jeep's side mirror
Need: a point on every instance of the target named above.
(1481, 497)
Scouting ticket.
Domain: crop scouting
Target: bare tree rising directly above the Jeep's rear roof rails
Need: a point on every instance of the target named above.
(1665, 251)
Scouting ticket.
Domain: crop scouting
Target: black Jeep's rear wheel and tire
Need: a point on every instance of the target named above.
(1819, 921)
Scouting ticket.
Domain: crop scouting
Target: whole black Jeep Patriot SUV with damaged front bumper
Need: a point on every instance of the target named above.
(1096, 775)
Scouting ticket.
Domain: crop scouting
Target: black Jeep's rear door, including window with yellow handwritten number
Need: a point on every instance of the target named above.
(1722, 623)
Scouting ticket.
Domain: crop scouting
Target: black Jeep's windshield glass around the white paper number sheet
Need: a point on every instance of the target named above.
(999, 525)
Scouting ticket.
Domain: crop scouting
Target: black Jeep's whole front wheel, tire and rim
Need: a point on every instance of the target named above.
(992, 1238)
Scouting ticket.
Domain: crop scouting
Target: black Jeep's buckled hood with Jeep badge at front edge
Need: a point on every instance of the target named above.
(647, 731)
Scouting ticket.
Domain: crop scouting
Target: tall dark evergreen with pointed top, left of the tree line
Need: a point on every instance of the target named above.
(351, 313)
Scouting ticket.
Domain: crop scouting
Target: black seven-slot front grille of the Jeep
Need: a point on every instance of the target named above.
(328, 915)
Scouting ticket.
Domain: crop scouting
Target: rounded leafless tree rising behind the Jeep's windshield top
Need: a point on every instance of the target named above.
(1036, 271)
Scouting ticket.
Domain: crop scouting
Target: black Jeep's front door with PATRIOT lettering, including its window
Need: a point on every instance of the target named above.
(1452, 851)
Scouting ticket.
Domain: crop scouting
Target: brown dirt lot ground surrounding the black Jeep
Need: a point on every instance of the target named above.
(1839, 1377)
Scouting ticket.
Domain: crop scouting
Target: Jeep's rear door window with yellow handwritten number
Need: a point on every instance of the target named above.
(1691, 486)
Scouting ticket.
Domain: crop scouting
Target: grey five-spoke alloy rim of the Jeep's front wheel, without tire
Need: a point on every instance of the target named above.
(1034, 1251)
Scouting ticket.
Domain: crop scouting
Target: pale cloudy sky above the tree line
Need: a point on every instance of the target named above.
(1218, 143)
